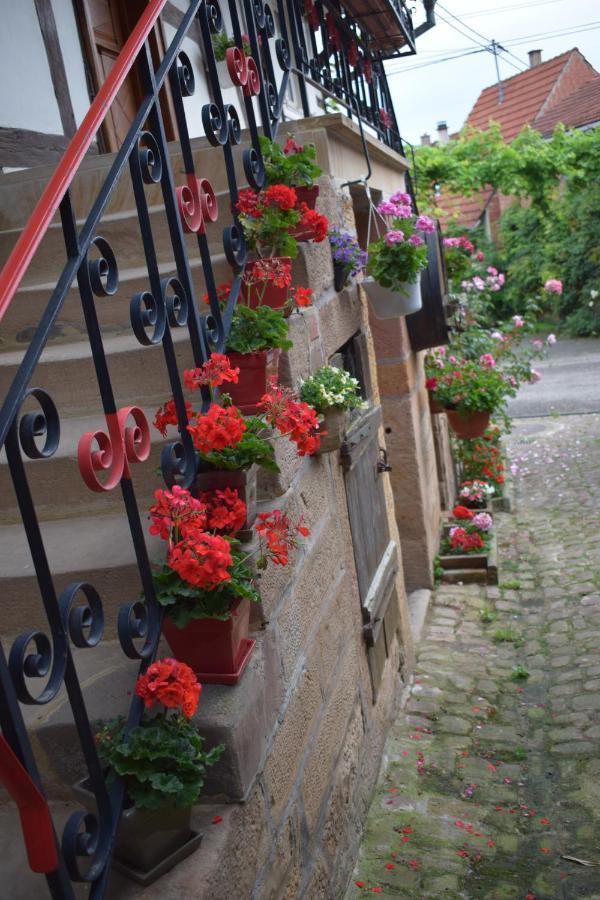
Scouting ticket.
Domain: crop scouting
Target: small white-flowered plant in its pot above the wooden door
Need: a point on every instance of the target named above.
(332, 392)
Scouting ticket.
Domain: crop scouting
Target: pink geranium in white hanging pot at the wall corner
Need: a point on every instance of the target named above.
(397, 258)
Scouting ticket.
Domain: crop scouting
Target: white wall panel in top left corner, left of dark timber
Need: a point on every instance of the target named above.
(26, 94)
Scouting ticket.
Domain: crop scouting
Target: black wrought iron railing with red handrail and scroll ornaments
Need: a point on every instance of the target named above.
(325, 50)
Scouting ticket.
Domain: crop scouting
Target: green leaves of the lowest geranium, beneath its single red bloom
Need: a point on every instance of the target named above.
(161, 760)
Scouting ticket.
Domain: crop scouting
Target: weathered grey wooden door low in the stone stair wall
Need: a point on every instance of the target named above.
(375, 553)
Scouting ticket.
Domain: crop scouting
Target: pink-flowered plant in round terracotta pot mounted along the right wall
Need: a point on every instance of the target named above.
(470, 391)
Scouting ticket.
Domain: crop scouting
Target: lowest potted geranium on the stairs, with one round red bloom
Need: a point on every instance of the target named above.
(163, 765)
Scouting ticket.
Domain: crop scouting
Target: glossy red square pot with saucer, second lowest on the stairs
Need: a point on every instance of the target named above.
(217, 651)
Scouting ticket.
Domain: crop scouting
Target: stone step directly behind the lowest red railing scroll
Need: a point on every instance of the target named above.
(59, 491)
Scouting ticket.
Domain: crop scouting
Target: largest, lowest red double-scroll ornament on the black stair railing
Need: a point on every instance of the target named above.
(115, 451)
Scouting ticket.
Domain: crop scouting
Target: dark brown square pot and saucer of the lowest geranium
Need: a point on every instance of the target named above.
(149, 842)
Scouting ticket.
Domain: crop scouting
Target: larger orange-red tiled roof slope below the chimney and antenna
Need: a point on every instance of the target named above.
(524, 96)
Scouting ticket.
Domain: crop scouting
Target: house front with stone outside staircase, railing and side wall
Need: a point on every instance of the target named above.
(122, 150)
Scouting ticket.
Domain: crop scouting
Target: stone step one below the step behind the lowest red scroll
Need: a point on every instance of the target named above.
(92, 548)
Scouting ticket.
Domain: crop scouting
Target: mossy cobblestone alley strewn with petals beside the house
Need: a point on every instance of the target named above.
(491, 786)
